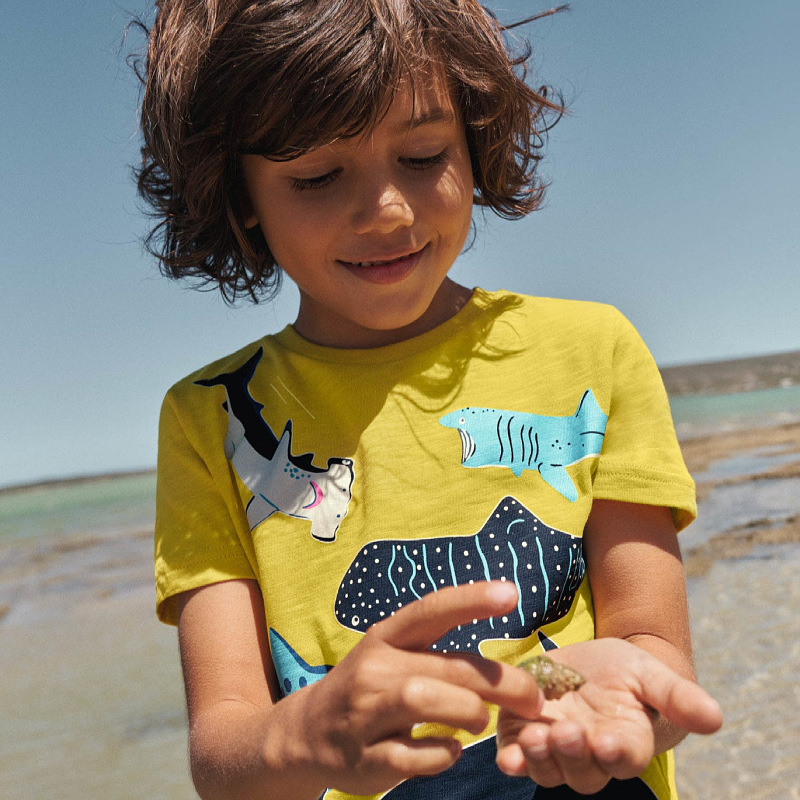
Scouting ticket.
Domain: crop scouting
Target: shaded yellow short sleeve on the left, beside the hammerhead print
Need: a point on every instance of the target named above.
(198, 536)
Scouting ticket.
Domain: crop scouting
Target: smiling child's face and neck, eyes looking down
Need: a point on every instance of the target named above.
(369, 227)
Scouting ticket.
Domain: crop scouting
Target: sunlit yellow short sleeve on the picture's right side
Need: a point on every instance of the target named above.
(641, 460)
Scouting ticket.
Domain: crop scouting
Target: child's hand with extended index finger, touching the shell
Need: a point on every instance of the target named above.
(355, 724)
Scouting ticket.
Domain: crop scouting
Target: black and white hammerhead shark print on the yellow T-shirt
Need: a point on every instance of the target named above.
(280, 482)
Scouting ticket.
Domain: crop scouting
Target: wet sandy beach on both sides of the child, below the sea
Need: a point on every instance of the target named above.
(91, 691)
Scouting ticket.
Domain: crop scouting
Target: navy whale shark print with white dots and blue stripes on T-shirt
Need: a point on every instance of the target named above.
(546, 565)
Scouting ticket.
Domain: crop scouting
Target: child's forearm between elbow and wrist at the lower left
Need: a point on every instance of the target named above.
(241, 751)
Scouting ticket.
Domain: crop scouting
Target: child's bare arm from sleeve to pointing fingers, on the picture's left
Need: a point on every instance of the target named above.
(352, 729)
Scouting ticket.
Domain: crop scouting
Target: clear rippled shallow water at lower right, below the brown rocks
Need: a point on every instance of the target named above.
(746, 632)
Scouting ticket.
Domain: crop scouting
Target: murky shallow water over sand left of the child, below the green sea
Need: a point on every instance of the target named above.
(91, 697)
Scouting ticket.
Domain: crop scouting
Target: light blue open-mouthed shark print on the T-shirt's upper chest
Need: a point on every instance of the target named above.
(520, 441)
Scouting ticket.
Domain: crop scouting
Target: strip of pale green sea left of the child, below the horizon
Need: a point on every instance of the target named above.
(114, 504)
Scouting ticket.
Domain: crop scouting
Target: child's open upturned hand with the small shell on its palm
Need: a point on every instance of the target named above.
(607, 729)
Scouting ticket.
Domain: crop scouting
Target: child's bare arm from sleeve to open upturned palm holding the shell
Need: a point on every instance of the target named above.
(641, 697)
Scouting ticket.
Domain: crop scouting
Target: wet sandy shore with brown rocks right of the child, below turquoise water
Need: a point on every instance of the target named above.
(744, 596)
